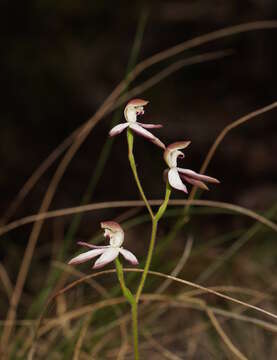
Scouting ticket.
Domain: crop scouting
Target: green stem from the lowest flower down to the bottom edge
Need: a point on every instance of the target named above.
(134, 307)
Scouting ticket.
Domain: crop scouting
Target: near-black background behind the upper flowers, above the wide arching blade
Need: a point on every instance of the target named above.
(60, 60)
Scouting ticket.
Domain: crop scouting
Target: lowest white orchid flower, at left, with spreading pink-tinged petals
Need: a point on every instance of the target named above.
(114, 232)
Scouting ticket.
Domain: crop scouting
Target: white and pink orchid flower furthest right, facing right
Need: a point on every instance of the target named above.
(175, 175)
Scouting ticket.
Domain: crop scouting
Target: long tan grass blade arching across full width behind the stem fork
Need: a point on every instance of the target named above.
(136, 203)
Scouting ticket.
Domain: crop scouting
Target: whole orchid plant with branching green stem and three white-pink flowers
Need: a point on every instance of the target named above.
(174, 177)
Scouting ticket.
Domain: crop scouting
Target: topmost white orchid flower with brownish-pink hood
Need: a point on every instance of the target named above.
(134, 108)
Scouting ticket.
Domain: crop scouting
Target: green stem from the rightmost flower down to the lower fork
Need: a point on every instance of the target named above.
(155, 221)
